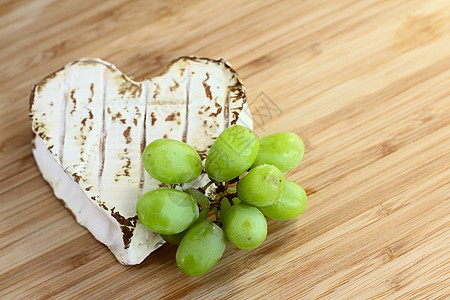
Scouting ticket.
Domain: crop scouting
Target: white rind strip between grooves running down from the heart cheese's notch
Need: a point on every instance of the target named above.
(123, 119)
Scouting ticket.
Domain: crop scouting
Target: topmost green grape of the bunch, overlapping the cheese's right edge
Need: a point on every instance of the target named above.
(233, 152)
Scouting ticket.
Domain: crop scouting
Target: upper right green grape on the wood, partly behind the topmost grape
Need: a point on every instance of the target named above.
(284, 150)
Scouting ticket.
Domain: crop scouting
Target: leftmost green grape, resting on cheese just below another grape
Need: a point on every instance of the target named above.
(166, 211)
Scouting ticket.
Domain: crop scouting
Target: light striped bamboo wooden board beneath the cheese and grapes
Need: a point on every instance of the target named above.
(366, 84)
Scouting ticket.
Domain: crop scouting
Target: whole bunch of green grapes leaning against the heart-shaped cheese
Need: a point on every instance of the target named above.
(238, 157)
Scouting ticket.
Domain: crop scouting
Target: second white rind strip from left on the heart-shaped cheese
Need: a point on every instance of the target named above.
(82, 124)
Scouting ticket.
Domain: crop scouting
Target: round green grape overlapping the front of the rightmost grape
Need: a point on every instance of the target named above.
(262, 186)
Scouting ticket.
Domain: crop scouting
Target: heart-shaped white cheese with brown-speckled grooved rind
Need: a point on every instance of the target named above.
(92, 123)
